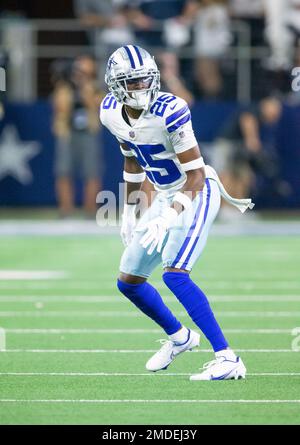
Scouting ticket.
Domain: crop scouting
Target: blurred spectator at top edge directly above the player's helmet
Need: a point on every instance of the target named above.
(107, 23)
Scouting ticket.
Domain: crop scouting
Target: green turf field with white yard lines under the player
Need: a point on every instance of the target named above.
(76, 349)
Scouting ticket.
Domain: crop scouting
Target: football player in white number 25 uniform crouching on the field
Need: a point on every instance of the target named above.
(157, 140)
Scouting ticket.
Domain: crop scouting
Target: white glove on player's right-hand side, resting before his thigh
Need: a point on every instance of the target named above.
(157, 230)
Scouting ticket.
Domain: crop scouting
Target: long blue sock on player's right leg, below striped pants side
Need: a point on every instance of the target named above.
(197, 306)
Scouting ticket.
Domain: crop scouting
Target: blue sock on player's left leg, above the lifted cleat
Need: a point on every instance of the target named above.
(148, 300)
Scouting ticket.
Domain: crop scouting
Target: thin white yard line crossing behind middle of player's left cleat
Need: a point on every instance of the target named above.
(131, 351)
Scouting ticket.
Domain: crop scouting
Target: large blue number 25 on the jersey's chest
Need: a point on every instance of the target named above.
(159, 171)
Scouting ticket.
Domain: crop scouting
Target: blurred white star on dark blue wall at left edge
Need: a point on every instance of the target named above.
(15, 155)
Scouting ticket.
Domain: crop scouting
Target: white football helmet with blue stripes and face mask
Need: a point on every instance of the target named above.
(133, 77)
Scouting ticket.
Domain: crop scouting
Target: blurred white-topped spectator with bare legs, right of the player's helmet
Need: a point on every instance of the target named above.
(212, 39)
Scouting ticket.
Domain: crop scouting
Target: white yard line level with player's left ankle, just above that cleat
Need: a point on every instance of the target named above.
(134, 331)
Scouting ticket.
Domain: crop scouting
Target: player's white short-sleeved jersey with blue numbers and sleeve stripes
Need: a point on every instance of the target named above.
(156, 137)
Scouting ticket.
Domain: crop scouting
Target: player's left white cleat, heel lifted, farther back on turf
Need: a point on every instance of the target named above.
(167, 353)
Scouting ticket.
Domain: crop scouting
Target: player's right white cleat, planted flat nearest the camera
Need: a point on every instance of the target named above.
(222, 369)
